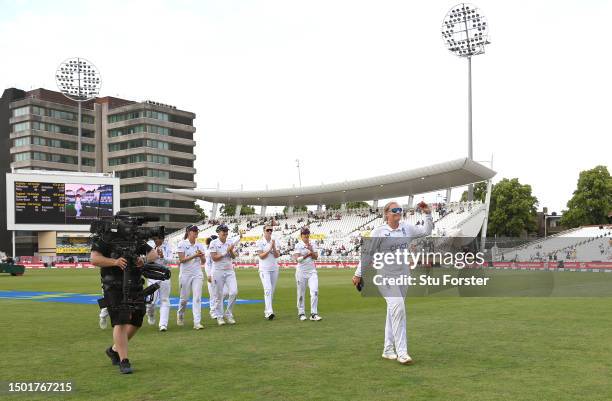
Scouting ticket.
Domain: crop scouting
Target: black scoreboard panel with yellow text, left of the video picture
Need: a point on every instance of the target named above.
(40, 203)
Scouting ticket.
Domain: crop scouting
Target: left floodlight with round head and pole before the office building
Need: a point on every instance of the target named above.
(79, 80)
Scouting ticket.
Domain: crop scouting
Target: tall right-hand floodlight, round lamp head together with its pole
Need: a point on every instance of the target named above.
(465, 32)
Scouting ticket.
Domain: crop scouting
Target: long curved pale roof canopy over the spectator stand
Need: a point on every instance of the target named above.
(440, 176)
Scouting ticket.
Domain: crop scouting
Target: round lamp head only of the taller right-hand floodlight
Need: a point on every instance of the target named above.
(465, 30)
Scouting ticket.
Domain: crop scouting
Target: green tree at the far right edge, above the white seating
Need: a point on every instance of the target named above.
(592, 199)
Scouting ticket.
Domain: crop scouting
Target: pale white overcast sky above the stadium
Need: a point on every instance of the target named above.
(342, 84)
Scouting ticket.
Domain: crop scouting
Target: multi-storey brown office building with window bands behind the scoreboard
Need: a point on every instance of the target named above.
(149, 145)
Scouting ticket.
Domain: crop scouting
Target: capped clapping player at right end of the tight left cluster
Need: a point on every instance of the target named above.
(222, 252)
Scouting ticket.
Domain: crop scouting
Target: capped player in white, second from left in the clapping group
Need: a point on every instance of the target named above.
(191, 278)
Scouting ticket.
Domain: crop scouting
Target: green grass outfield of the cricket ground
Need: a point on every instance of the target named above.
(464, 348)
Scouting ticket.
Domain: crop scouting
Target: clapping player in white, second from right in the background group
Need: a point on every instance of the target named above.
(267, 250)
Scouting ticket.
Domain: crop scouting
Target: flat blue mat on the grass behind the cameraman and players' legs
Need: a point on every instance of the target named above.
(91, 299)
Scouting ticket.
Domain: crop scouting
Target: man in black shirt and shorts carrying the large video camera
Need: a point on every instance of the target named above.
(111, 271)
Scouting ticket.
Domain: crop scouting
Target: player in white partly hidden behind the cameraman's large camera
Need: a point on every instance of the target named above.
(162, 296)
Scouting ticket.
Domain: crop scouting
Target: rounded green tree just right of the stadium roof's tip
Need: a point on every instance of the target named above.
(512, 211)
